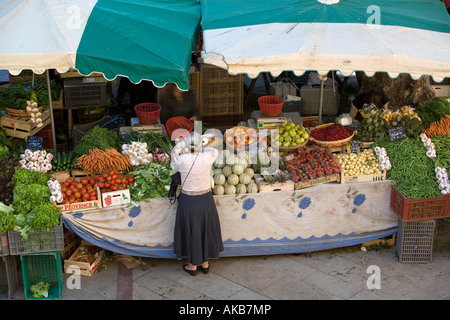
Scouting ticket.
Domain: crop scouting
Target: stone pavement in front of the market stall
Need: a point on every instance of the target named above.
(340, 274)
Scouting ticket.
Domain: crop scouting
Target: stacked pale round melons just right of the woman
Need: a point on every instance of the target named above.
(233, 174)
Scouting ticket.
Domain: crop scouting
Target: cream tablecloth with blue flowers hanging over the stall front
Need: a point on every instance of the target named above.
(317, 218)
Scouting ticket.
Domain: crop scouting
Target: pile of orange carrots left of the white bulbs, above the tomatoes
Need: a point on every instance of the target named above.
(98, 161)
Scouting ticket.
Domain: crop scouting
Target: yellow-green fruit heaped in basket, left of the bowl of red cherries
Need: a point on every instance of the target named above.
(289, 135)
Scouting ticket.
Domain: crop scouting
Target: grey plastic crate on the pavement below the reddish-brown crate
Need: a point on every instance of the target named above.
(415, 241)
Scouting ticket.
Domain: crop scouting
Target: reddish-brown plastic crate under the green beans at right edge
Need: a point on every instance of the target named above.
(409, 209)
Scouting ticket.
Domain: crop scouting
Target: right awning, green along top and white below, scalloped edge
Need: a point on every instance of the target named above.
(392, 36)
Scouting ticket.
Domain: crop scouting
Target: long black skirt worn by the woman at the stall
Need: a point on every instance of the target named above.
(197, 234)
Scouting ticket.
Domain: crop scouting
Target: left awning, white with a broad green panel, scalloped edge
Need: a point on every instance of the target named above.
(140, 39)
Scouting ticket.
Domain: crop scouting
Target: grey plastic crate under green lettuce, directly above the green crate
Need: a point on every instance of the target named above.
(38, 241)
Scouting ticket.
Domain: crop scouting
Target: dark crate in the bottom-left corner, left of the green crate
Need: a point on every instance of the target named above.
(9, 278)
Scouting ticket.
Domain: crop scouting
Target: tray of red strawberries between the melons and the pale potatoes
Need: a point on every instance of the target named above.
(310, 163)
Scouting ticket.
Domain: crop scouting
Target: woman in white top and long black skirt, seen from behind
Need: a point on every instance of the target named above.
(197, 235)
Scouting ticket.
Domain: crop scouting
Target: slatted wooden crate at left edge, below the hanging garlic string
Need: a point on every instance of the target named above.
(22, 127)
